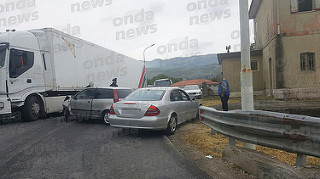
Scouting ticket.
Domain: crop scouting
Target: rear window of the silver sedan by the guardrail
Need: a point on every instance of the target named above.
(146, 95)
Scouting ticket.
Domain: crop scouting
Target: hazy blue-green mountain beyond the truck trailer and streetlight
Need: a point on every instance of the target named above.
(195, 67)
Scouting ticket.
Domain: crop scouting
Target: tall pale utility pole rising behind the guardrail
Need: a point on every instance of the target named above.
(246, 72)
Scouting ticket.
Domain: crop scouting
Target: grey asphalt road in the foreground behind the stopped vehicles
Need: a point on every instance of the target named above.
(52, 148)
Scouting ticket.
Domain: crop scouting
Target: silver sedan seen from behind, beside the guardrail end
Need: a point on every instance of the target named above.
(154, 108)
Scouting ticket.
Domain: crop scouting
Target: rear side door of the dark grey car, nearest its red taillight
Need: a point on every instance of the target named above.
(102, 101)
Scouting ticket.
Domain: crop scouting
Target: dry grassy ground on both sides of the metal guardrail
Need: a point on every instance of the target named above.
(194, 139)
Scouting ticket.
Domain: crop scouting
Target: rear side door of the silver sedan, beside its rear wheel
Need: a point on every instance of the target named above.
(178, 105)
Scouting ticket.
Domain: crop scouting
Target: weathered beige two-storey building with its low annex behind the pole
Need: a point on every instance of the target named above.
(287, 32)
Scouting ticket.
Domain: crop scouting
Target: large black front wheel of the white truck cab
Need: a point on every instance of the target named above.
(32, 109)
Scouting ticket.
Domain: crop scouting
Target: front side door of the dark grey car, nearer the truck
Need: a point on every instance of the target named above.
(82, 102)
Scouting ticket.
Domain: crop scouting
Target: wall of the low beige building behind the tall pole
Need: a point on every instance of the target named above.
(231, 71)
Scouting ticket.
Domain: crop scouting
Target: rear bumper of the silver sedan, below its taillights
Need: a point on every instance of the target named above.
(147, 122)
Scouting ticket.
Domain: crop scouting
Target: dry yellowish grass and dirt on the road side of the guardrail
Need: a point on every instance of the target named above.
(194, 140)
